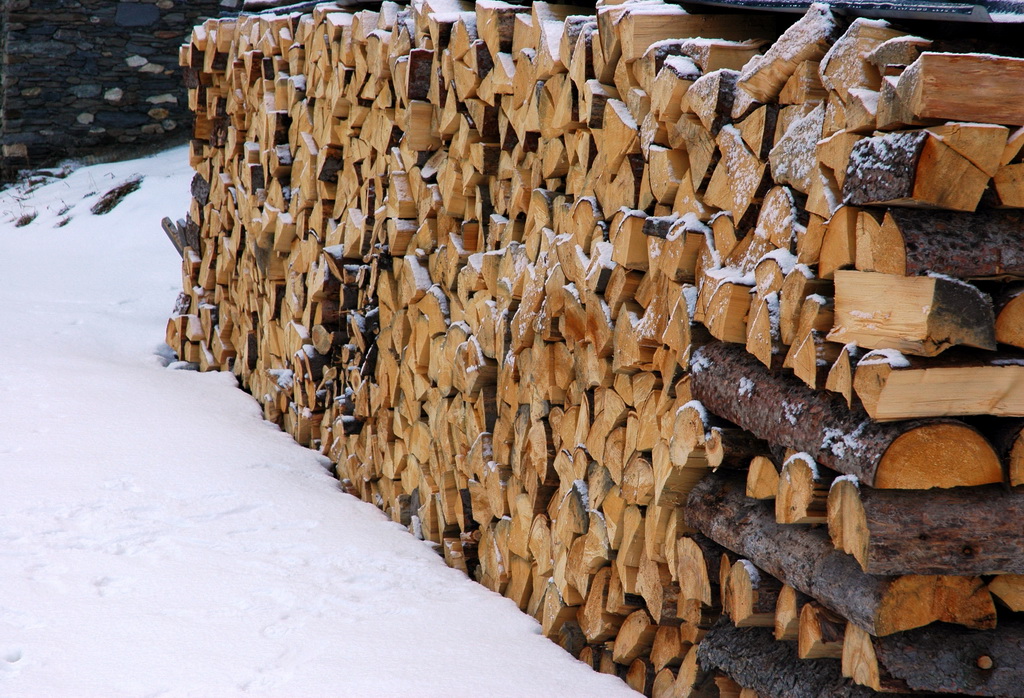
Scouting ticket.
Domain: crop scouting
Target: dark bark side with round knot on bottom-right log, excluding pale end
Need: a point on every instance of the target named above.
(974, 664)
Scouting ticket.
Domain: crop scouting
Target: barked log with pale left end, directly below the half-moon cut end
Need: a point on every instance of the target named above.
(957, 532)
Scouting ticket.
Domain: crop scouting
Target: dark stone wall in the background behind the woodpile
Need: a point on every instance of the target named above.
(81, 77)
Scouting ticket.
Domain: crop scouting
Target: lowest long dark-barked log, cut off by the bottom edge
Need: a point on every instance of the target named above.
(753, 659)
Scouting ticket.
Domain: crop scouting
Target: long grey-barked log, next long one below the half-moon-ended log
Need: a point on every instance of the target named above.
(805, 559)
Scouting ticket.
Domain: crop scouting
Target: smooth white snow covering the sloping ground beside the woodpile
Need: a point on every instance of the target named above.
(159, 539)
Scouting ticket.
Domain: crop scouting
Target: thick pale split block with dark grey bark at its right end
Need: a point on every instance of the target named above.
(921, 316)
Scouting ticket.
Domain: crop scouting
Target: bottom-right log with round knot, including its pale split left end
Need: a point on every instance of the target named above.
(977, 664)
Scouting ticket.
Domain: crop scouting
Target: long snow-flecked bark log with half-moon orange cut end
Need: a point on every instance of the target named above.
(783, 411)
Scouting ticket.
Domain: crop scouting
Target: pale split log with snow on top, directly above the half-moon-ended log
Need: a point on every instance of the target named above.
(895, 387)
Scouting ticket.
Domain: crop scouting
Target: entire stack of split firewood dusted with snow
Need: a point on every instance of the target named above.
(679, 331)
